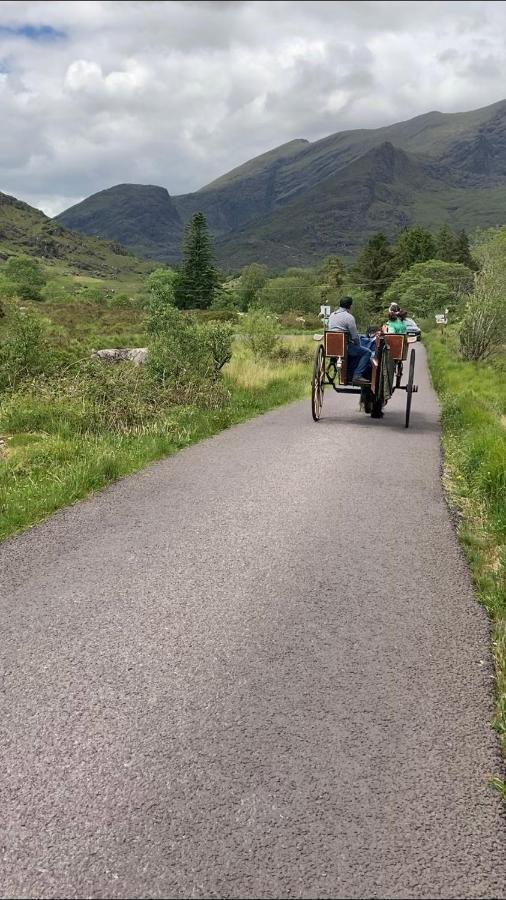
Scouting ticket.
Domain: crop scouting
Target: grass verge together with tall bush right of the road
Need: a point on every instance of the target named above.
(468, 368)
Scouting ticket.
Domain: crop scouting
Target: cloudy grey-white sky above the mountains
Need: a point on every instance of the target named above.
(94, 94)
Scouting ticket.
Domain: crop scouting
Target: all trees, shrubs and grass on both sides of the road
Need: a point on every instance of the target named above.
(226, 346)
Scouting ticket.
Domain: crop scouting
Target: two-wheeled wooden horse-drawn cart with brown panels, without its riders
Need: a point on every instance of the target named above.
(331, 367)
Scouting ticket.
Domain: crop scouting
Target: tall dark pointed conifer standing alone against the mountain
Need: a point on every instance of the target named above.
(196, 284)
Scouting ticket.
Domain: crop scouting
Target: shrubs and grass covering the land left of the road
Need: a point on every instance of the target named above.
(70, 423)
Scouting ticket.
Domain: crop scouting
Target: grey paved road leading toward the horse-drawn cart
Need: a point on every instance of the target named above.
(253, 670)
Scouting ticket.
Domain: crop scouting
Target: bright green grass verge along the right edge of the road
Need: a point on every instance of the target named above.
(473, 400)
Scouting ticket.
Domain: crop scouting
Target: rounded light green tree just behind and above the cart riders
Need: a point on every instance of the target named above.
(429, 287)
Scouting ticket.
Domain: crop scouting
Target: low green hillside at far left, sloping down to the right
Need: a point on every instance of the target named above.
(25, 230)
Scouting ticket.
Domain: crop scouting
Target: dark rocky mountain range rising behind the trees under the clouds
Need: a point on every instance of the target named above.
(302, 201)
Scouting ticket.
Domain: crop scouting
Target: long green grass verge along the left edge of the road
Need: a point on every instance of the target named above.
(58, 448)
